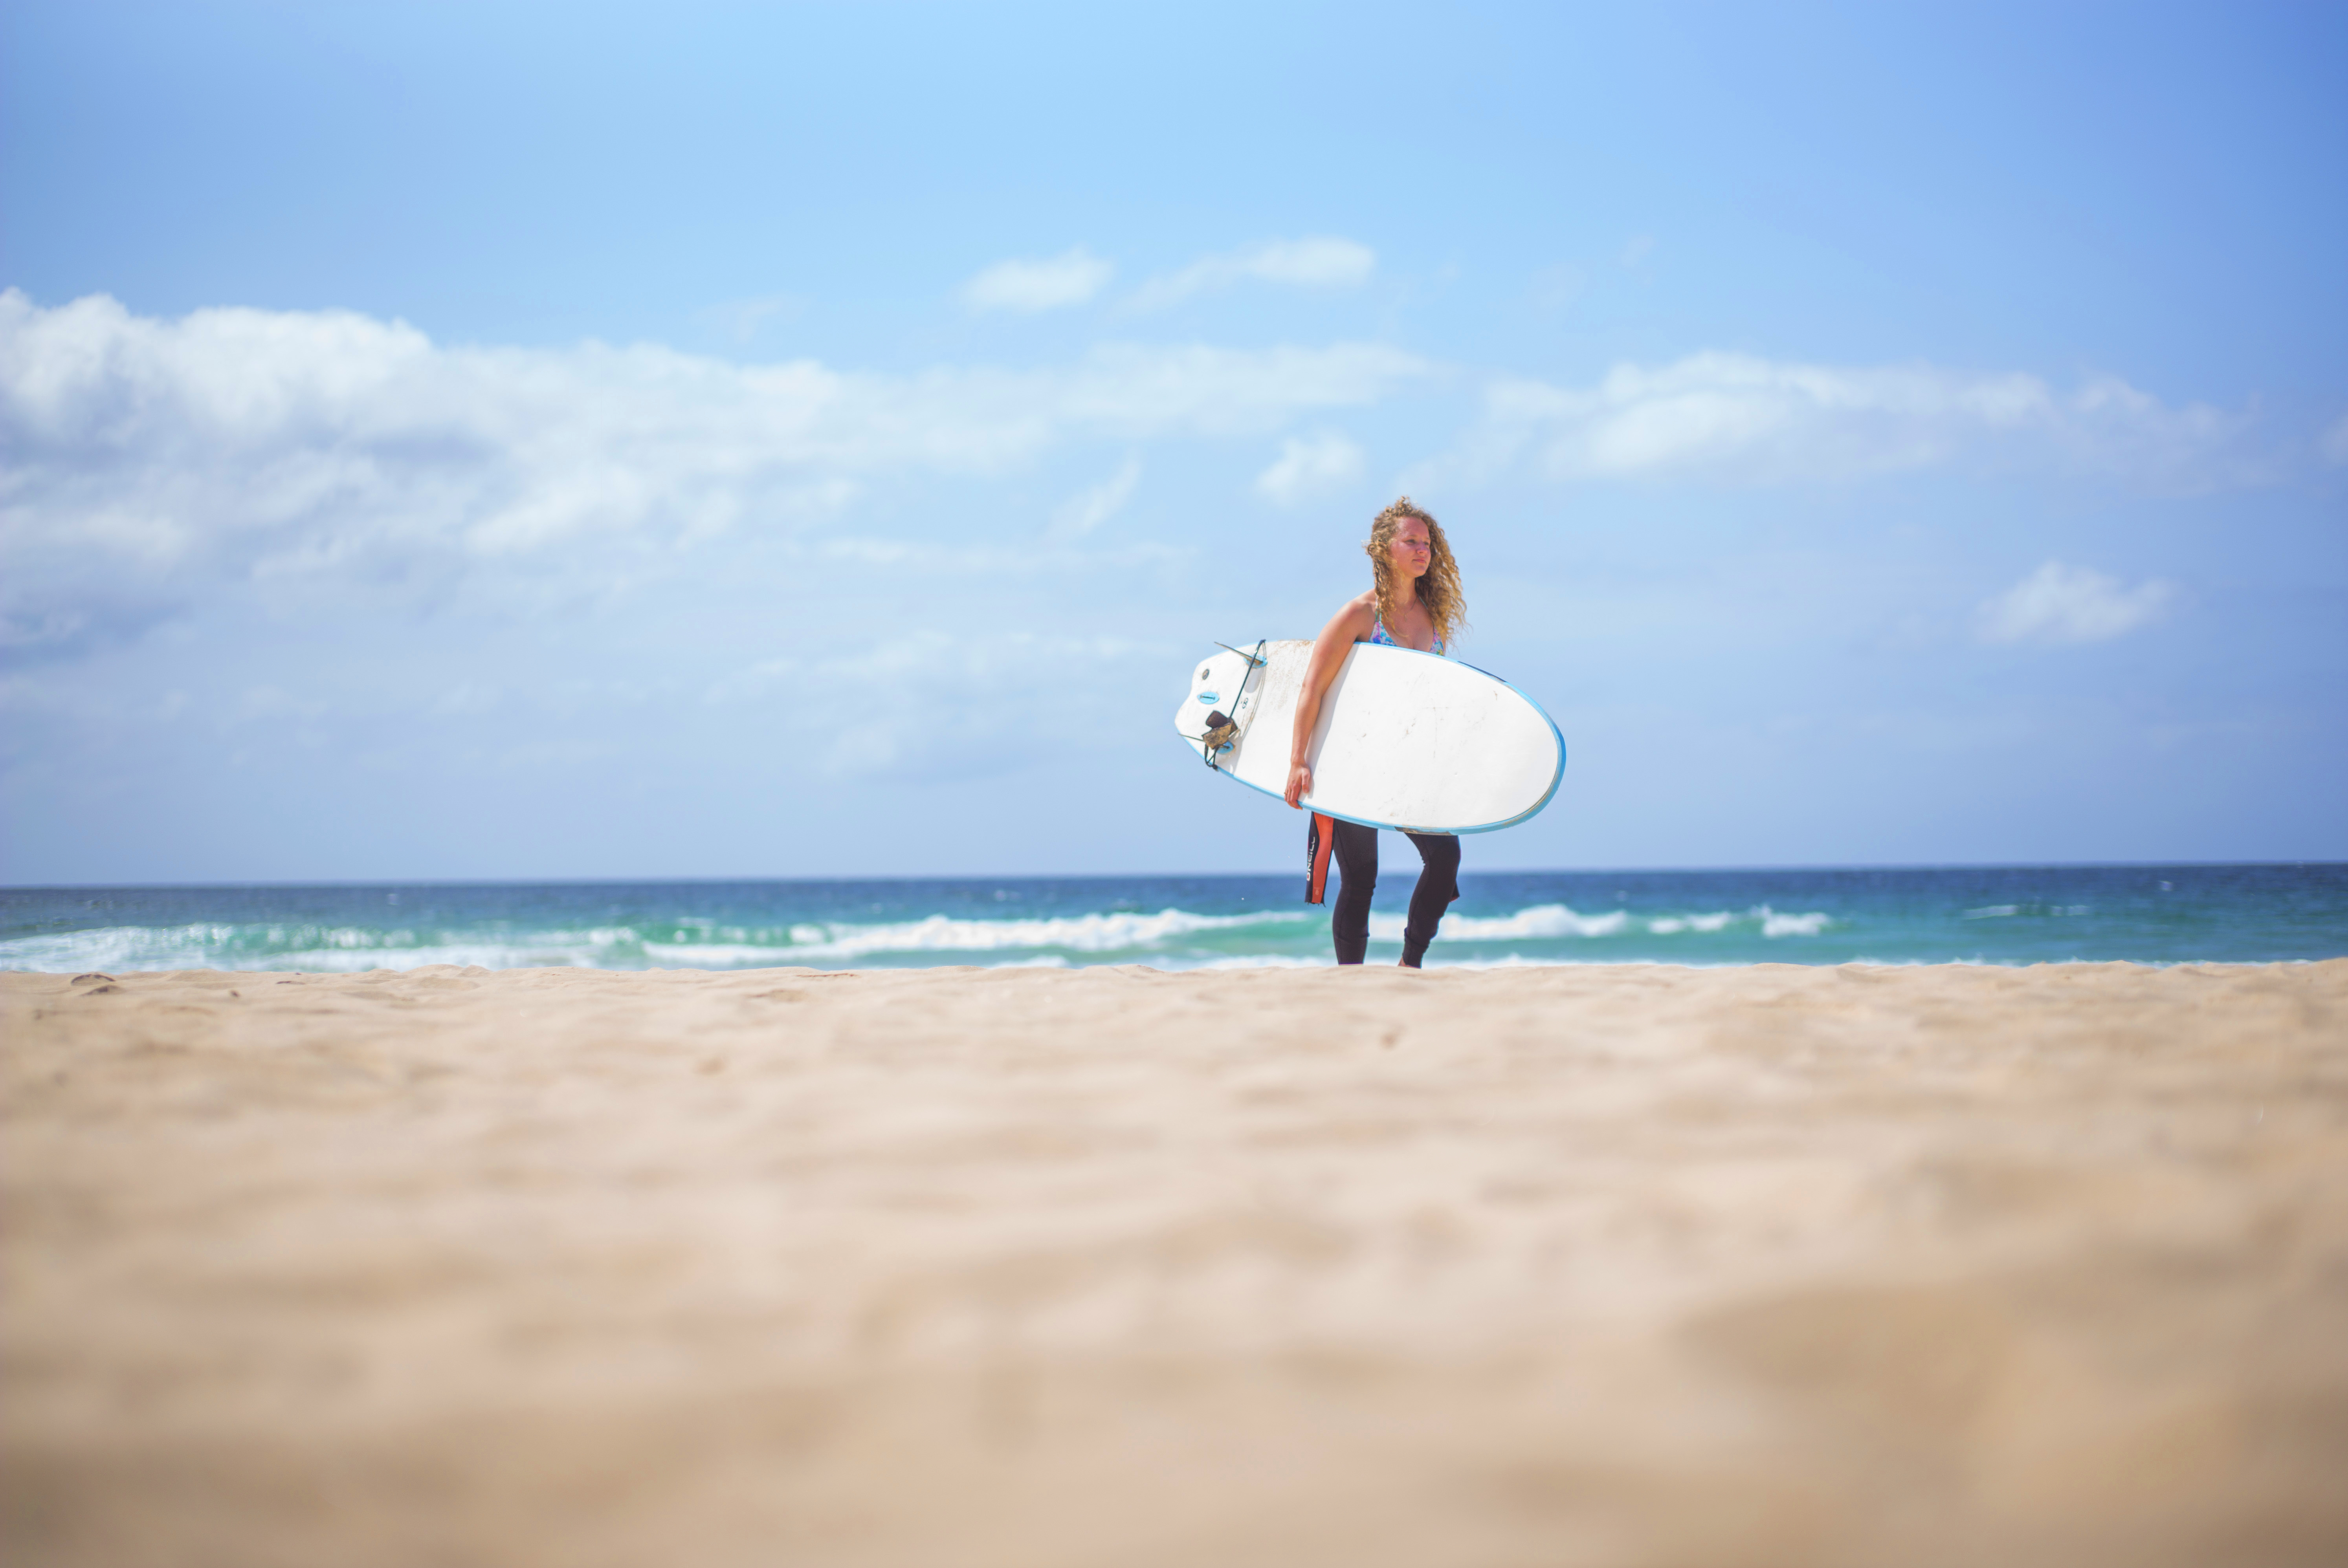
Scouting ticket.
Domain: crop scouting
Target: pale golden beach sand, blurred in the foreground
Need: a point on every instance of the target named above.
(1041, 1269)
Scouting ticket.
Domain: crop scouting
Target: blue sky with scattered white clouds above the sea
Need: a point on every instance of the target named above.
(539, 442)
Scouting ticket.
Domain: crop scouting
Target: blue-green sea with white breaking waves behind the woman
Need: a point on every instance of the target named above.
(1978, 914)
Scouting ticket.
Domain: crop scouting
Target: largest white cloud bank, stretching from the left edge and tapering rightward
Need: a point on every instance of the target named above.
(147, 454)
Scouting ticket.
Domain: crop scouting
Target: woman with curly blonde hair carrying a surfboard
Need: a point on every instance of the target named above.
(1415, 602)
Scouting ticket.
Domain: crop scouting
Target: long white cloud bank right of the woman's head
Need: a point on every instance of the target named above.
(1760, 421)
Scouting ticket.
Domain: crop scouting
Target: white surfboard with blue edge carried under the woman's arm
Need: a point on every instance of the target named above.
(1405, 741)
